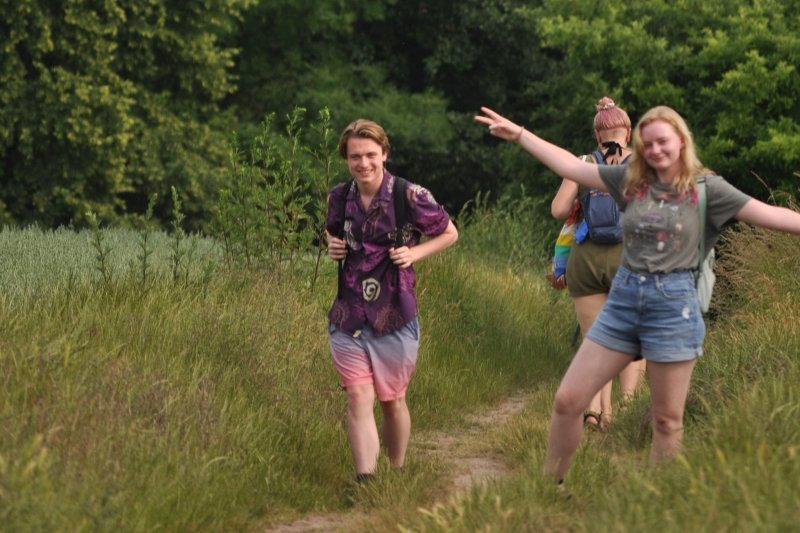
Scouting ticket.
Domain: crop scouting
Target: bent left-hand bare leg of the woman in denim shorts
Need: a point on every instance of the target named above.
(592, 367)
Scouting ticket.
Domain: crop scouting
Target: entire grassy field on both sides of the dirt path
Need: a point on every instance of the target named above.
(209, 403)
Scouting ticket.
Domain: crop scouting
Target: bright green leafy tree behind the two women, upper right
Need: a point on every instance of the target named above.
(729, 67)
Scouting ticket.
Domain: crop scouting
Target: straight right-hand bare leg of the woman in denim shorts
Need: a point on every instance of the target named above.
(669, 386)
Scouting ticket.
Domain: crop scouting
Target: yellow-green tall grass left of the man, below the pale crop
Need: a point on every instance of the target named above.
(175, 409)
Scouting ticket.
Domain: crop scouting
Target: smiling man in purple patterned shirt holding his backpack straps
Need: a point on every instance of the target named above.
(374, 227)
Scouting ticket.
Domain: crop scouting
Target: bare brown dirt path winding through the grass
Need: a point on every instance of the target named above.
(460, 449)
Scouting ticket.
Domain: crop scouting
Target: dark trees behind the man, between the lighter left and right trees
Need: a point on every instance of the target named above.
(420, 68)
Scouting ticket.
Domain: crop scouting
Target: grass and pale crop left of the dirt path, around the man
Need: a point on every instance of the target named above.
(214, 405)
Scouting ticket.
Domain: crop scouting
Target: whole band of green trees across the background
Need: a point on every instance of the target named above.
(105, 103)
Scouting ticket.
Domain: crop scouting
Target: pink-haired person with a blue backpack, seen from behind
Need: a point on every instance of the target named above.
(595, 254)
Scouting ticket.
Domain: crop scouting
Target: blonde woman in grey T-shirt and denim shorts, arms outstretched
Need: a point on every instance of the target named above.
(652, 309)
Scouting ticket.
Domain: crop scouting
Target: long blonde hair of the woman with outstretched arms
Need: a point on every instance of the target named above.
(639, 173)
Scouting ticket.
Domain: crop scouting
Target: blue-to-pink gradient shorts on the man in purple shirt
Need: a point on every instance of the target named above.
(387, 361)
